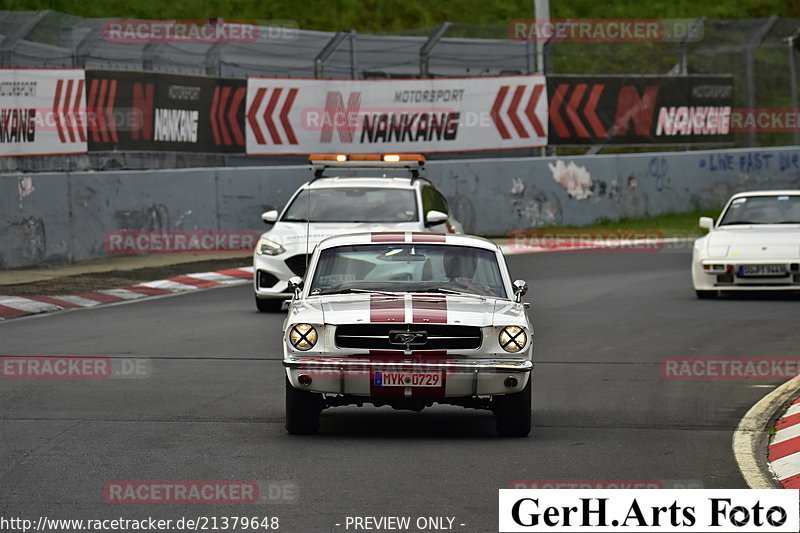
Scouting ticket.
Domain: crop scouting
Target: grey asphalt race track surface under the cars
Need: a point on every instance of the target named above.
(213, 407)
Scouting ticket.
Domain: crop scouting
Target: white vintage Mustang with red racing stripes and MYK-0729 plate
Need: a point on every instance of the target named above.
(408, 319)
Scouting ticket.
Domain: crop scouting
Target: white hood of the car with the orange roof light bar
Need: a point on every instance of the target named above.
(292, 235)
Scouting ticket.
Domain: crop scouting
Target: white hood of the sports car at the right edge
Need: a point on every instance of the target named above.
(753, 242)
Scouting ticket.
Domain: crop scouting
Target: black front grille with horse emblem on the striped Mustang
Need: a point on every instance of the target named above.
(388, 337)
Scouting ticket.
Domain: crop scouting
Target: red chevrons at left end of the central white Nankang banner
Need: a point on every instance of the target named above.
(266, 108)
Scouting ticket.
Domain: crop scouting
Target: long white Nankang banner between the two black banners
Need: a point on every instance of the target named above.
(294, 116)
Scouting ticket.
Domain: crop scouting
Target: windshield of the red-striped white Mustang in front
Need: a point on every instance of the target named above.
(408, 268)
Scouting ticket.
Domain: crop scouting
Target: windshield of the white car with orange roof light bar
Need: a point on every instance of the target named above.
(353, 204)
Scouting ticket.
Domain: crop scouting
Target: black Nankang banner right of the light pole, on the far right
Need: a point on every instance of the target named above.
(639, 109)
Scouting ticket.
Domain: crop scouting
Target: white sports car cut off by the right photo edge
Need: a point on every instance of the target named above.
(755, 245)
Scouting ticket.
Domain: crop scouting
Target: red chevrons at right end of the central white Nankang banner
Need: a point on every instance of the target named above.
(521, 93)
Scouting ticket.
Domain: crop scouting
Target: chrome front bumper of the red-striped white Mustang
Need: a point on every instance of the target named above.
(356, 376)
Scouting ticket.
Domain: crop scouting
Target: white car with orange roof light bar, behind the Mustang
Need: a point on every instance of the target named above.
(371, 192)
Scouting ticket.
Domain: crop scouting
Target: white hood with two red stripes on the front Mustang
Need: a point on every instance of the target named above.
(409, 308)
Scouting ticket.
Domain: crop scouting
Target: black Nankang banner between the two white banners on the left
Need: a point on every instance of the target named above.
(148, 111)
